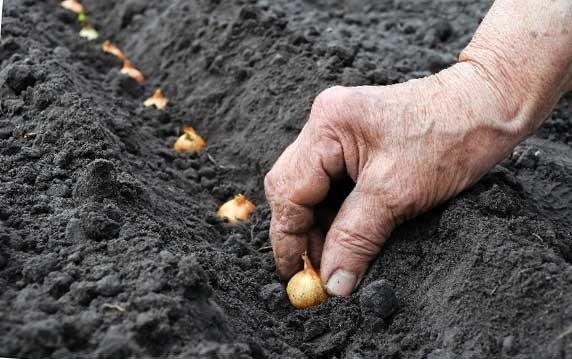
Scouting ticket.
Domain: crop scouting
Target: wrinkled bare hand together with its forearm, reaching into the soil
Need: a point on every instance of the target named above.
(411, 146)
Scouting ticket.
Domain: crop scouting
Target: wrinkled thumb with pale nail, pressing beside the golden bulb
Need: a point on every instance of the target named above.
(354, 239)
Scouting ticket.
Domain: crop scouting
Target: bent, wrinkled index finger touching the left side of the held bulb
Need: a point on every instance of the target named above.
(299, 180)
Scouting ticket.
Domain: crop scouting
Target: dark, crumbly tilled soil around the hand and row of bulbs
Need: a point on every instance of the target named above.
(109, 247)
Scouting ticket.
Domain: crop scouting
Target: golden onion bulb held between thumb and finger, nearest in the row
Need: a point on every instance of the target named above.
(305, 288)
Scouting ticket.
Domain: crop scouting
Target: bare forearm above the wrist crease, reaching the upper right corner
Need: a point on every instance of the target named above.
(523, 50)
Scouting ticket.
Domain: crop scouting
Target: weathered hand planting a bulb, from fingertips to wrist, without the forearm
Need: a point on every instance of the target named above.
(407, 148)
